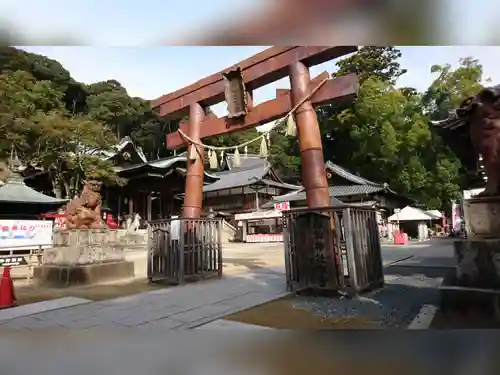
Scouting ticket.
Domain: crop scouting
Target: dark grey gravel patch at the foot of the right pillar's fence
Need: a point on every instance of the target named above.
(394, 306)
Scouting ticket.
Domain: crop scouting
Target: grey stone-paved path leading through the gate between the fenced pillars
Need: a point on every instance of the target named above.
(180, 307)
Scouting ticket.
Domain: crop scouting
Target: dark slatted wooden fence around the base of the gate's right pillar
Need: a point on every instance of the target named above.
(335, 248)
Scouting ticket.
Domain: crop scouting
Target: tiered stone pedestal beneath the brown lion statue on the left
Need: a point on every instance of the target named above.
(85, 257)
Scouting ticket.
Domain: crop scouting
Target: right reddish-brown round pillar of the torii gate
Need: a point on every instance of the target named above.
(311, 150)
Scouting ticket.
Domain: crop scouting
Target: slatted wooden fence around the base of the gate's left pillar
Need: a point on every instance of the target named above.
(184, 249)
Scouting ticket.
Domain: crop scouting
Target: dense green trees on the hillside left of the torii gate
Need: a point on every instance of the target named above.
(57, 124)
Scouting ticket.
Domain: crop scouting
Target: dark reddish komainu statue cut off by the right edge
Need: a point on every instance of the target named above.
(482, 113)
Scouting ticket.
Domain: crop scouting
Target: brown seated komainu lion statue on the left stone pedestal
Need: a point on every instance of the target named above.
(84, 212)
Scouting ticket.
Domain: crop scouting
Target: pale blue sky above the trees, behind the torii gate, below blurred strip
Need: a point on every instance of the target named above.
(149, 72)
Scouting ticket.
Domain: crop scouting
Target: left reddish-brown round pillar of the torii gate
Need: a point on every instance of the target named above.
(193, 191)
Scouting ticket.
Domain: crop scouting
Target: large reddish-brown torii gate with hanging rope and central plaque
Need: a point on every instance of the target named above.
(235, 85)
